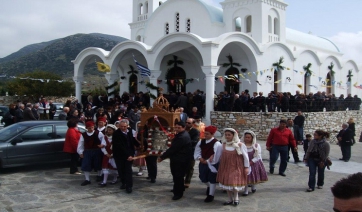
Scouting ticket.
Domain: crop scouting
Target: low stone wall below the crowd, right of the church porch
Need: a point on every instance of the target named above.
(261, 123)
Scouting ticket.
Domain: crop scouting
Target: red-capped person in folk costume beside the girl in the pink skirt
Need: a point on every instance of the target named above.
(208, 152)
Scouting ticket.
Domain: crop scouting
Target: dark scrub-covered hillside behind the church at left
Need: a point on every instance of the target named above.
(56, 55)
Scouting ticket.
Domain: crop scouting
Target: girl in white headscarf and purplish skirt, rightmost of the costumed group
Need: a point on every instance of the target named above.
(258, 173)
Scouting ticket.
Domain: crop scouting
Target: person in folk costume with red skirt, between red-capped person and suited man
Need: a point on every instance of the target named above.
(108, 164)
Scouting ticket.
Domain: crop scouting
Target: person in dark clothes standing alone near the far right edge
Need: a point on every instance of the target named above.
(345, 142)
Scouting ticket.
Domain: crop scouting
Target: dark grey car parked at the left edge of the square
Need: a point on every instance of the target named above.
(33, 142)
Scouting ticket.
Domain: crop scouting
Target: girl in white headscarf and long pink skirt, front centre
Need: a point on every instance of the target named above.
(233, 167)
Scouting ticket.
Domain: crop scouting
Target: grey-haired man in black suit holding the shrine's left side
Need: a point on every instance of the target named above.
(123, 143)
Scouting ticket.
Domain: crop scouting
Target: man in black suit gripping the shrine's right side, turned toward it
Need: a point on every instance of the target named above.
(180, 154)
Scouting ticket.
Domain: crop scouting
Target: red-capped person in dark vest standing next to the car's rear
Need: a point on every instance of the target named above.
(88, 148)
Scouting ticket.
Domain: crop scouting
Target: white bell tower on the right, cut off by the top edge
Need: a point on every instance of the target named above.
(263, 20)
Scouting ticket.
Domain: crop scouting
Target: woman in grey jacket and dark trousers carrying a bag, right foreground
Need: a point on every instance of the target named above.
(316, 158)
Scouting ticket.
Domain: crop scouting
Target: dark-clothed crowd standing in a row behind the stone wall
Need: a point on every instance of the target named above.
(285, 102)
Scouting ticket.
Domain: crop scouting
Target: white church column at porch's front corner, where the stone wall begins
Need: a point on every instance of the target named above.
(209, 72)
